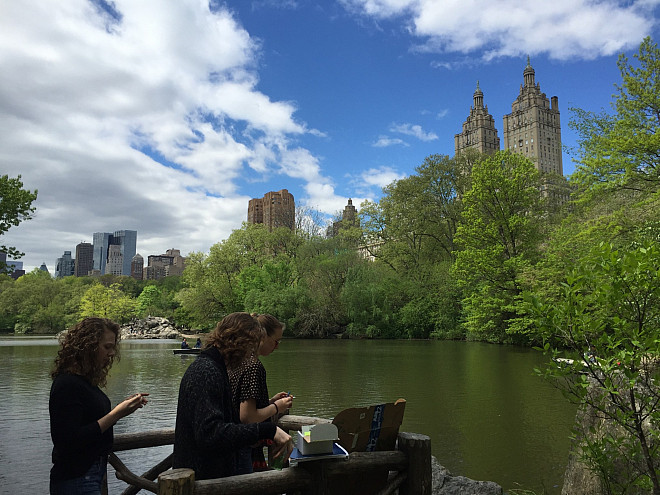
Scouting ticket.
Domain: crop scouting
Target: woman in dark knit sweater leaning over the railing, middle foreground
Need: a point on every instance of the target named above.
(209, 433)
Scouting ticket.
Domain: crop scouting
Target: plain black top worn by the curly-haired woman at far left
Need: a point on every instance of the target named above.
(75, 406)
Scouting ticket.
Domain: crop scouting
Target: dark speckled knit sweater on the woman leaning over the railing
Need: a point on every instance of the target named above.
(208, 431)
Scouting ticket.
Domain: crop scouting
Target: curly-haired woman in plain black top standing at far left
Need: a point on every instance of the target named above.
(81, 417)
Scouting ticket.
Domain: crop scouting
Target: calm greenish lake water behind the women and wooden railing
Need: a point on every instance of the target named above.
(489, 417)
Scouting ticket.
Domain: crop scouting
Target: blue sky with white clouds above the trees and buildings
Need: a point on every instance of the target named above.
(168, 117)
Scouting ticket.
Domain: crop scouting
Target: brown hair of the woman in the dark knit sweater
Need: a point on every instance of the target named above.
(237, 336)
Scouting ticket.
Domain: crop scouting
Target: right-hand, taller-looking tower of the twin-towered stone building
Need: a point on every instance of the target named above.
(533, 128)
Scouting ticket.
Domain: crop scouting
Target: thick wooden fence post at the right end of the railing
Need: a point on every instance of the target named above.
(418, 449)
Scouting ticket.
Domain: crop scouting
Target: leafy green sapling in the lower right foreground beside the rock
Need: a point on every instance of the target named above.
(610, 308)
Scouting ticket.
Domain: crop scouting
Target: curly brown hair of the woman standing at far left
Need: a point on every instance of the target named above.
(78, 348)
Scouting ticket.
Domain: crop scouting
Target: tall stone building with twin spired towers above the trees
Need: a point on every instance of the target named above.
(532, 128)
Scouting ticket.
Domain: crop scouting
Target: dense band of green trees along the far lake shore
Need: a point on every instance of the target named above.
(446, 253)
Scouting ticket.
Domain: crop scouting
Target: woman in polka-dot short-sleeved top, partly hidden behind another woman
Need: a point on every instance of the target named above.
(250, 393)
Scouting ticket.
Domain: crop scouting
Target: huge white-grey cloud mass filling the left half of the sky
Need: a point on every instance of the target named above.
(137, 115)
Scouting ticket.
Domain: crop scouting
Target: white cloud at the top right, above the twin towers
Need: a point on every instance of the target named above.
(563, 29)
